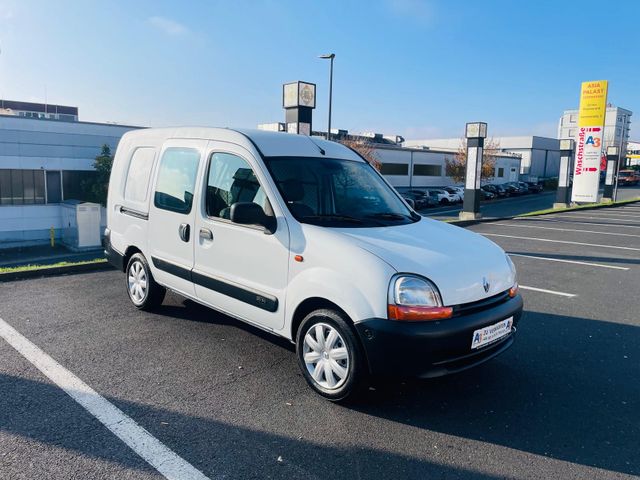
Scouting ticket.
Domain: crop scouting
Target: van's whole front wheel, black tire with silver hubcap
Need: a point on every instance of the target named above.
(330, 355)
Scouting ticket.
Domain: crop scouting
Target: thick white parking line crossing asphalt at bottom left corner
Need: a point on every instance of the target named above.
(154, 452)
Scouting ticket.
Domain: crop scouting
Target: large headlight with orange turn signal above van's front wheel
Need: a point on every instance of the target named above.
(415, 298)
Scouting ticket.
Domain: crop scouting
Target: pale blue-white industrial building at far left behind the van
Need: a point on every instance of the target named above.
(43, 162)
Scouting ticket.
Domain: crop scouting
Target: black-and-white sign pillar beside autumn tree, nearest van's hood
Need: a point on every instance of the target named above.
(475, 134)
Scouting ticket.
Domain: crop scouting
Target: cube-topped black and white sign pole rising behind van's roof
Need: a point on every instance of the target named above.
(298, 101)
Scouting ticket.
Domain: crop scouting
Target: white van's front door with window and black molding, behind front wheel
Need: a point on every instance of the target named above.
(239, 269)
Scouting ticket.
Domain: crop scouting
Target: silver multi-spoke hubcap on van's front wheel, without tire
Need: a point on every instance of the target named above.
(326, 356)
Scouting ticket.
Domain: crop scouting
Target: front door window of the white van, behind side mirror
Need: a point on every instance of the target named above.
(231, 180)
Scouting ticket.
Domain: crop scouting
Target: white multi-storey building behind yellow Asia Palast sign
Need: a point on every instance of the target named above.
(617, 124)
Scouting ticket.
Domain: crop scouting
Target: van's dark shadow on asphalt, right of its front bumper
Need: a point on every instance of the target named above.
(567, 389)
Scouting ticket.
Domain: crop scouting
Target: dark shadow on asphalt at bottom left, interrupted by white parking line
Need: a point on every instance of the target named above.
(43, 413)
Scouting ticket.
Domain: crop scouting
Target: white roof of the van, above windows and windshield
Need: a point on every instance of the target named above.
(269, 144)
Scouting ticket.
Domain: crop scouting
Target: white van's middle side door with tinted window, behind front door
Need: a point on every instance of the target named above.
(172, 212)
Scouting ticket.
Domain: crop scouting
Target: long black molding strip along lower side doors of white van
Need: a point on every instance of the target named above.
(257, 299)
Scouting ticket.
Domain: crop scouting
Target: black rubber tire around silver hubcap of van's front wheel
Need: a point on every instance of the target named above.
(357, 374)
